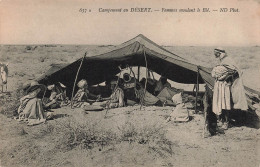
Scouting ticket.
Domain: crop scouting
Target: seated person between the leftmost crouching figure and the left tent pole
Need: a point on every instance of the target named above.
(57, 96)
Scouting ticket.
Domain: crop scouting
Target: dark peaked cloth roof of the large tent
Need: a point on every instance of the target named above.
(139, 51)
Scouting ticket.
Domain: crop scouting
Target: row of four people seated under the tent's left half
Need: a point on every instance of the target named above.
(35, 107)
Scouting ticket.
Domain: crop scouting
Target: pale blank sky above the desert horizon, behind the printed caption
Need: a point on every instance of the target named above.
(61, 22)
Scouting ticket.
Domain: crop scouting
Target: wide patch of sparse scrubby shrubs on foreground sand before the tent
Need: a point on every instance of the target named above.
(88, 135)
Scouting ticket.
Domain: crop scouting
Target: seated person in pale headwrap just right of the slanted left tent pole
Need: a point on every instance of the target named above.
(82, 97)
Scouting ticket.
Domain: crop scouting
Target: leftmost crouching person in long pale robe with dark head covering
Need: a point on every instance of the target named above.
(31, 108)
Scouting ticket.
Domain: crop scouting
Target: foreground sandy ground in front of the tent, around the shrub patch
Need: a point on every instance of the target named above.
(31, 146)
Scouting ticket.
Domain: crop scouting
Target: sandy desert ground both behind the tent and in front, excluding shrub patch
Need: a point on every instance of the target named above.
(21, 145)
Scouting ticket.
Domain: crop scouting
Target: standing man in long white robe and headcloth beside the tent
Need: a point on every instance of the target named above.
(229, 91)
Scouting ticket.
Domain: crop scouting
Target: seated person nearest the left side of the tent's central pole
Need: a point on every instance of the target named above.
(116, 99)
